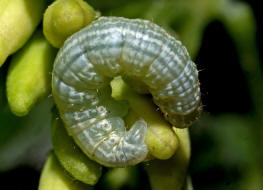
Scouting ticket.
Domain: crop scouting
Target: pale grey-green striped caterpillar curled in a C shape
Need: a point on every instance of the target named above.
(136, 49)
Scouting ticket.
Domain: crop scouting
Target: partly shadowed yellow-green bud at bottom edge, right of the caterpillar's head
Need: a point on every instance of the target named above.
(172, 173)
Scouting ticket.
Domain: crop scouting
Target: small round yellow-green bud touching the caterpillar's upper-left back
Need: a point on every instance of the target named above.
(65, 17)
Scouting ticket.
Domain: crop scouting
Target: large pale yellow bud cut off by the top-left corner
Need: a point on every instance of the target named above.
(18, 20)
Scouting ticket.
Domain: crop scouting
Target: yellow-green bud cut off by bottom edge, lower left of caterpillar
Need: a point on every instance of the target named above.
(54, 177)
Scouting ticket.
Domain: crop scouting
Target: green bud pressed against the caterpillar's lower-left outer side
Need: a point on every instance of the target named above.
(71, 157)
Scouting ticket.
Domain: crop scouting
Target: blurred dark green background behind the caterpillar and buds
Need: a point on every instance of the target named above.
(224, 39)
